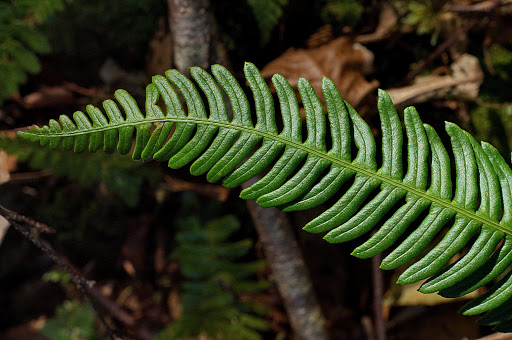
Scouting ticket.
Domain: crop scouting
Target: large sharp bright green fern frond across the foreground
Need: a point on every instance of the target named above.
(304, 172)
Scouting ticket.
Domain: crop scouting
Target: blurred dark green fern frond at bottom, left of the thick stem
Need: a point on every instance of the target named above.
(215, 281)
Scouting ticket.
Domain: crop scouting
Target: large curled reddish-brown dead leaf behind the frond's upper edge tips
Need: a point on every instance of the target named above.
(340, 60)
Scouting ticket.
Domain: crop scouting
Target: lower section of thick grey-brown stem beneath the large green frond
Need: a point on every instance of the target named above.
(289, 271)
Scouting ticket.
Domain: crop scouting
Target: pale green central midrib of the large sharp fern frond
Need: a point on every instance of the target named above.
(289, 142)
